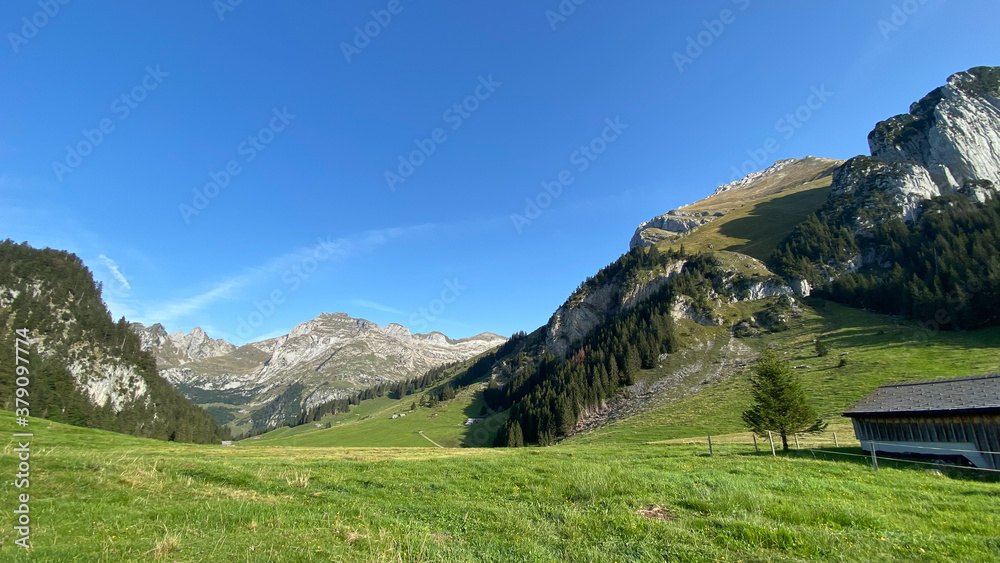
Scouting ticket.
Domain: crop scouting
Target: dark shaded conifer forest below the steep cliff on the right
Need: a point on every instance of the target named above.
(944, 268)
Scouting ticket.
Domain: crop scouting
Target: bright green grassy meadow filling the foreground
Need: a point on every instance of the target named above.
(102, 497)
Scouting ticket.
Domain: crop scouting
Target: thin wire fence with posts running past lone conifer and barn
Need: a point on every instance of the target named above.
(847, 446)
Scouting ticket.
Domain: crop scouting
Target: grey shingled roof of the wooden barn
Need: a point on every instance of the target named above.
(957, 395)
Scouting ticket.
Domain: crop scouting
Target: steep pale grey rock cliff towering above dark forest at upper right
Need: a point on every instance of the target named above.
(949, 143)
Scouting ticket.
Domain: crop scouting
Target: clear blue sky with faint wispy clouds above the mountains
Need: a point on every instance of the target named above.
(116, 112)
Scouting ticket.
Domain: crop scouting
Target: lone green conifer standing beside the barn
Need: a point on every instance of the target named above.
(780, 404)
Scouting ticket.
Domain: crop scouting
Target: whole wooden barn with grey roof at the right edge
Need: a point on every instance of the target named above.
(957, 417)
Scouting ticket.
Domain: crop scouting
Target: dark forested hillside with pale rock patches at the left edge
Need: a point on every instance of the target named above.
(85, 369)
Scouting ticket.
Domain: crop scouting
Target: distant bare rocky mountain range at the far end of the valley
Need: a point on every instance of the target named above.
(329, 357)
